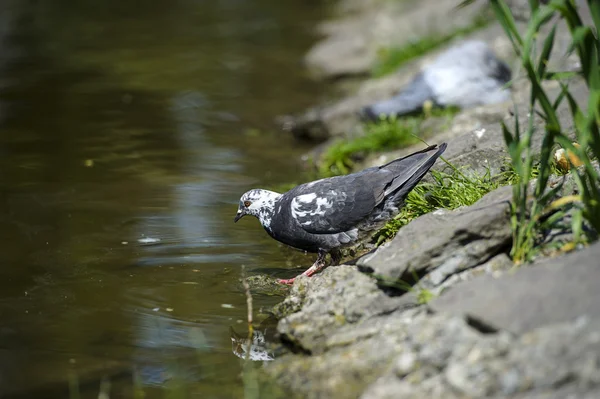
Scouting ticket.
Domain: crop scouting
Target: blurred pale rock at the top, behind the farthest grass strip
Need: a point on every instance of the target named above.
(353, 42)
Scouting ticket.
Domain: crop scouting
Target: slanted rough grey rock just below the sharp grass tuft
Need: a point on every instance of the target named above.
(447, 241)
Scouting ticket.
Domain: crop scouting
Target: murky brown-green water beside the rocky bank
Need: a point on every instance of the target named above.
(127, 134)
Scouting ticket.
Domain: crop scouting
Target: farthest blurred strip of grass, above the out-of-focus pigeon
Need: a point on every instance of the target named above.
(390, 59)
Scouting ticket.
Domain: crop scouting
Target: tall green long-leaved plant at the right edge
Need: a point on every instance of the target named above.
(527, 214)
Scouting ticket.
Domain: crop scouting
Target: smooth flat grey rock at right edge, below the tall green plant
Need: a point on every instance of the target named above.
(549, 292)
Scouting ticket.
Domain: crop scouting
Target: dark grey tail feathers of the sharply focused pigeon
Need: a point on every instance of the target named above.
(411, 170)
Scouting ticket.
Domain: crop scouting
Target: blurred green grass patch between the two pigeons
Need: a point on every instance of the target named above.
(383, 135)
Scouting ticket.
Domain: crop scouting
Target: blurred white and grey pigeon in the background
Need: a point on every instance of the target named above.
(465, 75)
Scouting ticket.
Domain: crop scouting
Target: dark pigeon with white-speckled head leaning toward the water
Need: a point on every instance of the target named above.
(327, 215)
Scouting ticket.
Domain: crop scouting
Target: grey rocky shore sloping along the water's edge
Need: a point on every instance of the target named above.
(486, 327)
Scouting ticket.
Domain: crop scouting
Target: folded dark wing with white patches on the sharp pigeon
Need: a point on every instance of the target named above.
(339, 203)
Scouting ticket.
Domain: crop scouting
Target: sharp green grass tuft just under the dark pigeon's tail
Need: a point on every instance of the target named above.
(447, 191)
